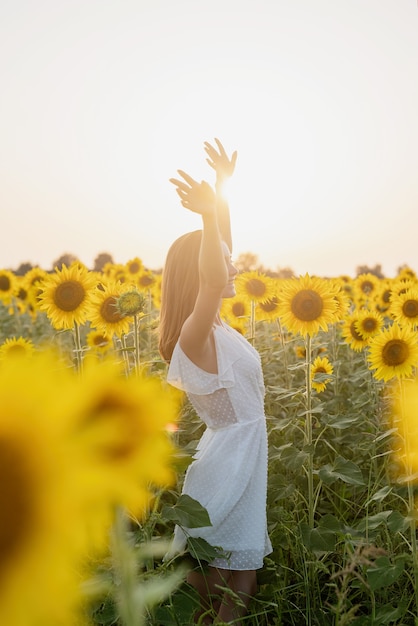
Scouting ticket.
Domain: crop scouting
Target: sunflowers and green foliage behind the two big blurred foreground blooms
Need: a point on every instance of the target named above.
(341, 492)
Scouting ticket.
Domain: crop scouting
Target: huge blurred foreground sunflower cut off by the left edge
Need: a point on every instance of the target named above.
(39, 533)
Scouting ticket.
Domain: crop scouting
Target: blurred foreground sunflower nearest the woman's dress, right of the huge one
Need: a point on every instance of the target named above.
(121, 431)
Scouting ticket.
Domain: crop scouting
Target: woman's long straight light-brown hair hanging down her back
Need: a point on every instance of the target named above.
(179, 289)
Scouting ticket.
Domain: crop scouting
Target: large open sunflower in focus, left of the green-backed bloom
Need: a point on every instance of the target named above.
(66, 295)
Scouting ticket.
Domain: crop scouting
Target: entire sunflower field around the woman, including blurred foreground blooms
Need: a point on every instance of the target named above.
(94, 445)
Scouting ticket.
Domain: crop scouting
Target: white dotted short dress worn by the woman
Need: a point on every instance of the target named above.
(228, 475)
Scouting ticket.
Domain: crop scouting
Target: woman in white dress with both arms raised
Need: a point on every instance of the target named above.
(221, 374)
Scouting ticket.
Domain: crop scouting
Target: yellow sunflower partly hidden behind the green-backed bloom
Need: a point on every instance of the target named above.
(103, 312)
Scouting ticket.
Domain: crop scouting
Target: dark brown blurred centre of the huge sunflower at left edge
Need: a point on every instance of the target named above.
(15, 501)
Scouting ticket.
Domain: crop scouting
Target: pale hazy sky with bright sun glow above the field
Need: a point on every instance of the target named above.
(102, 101)
